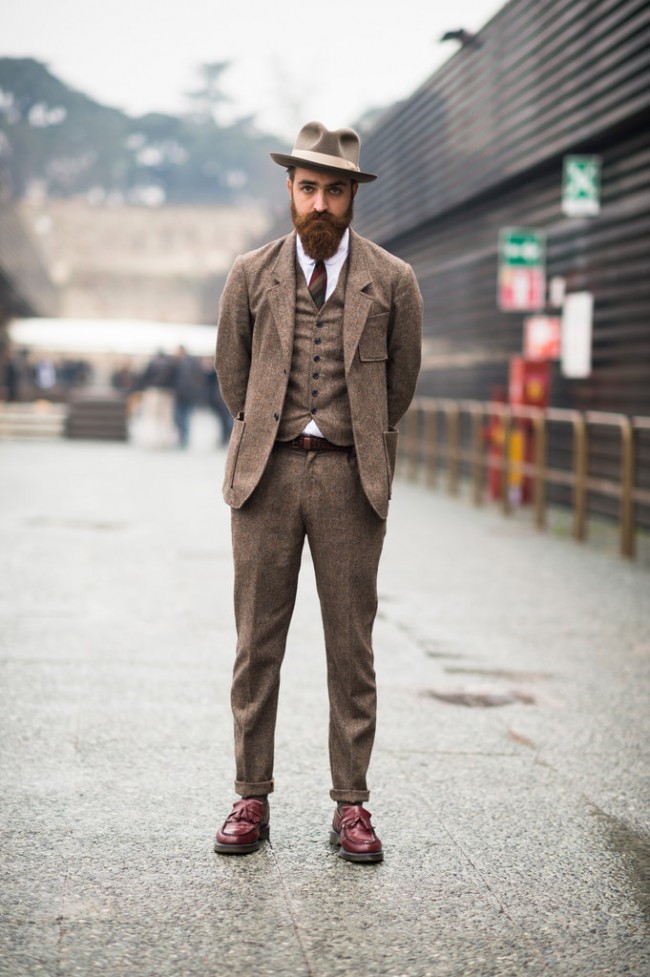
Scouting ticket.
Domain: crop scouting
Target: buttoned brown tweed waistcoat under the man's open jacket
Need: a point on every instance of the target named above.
(317, 389)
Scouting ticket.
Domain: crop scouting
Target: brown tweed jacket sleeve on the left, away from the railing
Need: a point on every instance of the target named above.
(234, 339)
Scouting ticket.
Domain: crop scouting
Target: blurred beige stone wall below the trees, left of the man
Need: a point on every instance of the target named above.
(115, 261)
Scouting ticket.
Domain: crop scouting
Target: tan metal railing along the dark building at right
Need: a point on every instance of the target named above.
(509, 448)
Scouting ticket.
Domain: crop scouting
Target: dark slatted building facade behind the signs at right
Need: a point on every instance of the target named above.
(480, 146)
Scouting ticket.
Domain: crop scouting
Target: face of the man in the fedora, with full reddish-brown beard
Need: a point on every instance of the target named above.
(321, 208)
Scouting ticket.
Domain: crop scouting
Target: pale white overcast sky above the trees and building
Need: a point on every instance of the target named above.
(289, 63)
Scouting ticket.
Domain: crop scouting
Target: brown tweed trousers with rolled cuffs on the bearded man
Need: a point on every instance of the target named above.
(317, 495)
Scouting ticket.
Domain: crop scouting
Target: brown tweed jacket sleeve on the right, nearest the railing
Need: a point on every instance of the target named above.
(404, 345)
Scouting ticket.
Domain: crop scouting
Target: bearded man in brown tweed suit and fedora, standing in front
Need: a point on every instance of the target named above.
(318, 353)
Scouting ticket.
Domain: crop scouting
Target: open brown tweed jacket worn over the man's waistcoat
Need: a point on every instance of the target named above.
(382, 340)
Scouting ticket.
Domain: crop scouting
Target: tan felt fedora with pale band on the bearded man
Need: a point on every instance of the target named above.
(317, 148)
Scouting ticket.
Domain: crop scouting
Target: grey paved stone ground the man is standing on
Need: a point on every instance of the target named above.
(516, 833)
